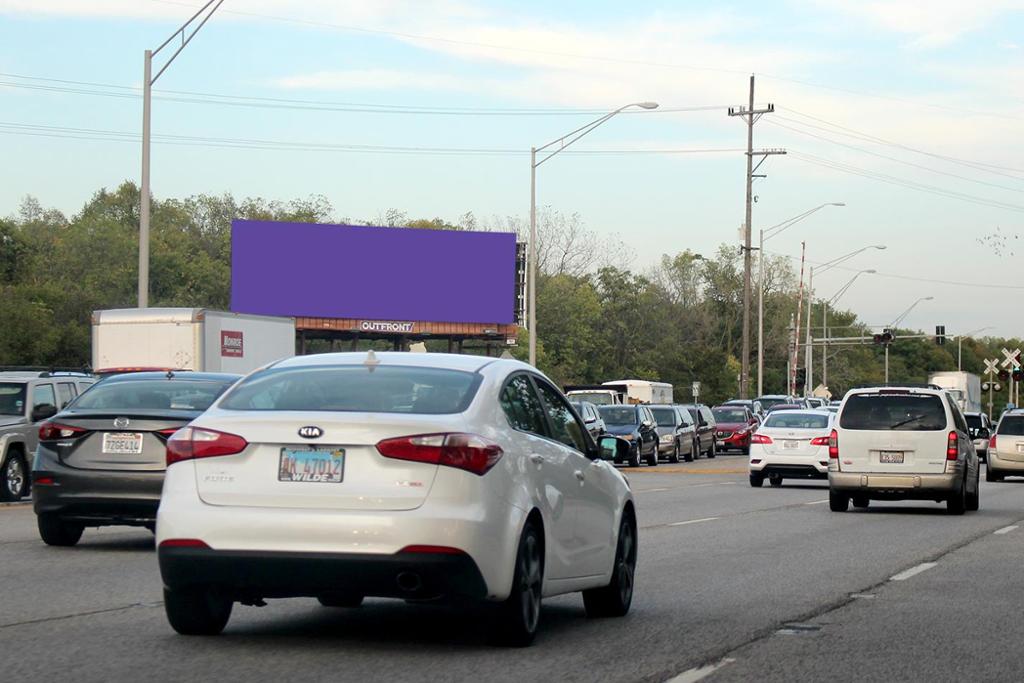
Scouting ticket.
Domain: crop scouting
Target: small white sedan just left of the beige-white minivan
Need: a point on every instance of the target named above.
(791, 445)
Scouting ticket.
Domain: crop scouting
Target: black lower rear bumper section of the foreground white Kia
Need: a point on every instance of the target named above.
(249, 575)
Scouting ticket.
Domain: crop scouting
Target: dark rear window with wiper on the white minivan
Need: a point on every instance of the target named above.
(899, 412)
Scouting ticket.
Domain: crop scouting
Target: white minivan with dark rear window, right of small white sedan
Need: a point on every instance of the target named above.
(903, 443)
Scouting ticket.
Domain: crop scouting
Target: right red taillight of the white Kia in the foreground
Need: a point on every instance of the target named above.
(465, 452)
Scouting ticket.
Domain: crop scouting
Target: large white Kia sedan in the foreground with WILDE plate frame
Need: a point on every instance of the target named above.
(403, 476)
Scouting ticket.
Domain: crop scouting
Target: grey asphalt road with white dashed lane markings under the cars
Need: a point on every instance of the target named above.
(734, 584)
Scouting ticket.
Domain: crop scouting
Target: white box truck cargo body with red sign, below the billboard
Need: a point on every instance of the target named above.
(196, 339)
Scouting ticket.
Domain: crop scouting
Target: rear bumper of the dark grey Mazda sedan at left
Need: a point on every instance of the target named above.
(98, 498)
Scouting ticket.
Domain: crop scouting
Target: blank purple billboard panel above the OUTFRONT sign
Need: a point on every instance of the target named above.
(385, 274)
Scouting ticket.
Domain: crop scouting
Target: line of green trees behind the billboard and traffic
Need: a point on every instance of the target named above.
(600, 317)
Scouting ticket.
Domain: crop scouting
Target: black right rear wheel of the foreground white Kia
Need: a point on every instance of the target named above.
(520, 616)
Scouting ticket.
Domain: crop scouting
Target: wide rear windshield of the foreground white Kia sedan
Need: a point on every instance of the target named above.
(356, 390)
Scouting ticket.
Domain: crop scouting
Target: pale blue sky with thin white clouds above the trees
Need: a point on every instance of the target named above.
(909, 113)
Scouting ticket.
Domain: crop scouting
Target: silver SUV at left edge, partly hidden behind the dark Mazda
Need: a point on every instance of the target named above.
(27, 398)
